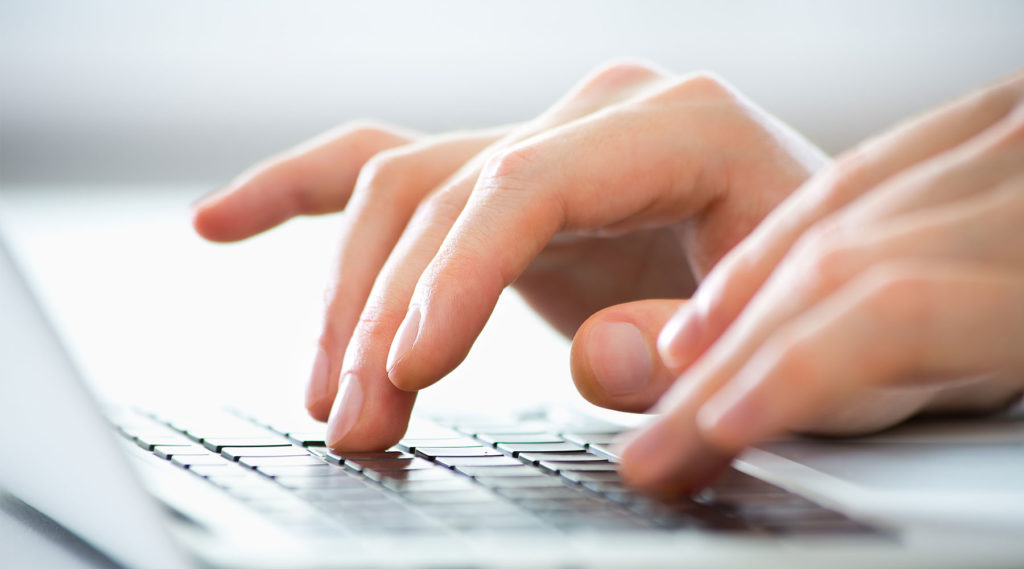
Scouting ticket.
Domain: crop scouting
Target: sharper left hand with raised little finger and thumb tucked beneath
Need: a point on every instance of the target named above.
(630, 188)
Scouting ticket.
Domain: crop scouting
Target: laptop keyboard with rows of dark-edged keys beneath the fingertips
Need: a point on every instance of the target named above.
(467, 476)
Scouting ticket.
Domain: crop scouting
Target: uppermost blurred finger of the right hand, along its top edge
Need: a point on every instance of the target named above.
(738, 278)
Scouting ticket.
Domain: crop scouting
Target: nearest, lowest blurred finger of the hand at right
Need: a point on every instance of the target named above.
(897, 324)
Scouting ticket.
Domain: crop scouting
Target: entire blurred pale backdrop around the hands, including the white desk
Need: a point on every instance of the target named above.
(114, 116)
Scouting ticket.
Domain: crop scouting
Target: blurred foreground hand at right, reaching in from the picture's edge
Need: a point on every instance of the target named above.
(890, 284)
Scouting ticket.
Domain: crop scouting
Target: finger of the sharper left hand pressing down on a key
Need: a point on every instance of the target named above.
(372, 413)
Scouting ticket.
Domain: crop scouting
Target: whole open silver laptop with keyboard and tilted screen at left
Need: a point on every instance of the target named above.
(211, 487)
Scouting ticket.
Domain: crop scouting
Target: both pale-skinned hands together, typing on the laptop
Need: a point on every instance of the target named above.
(829, 296)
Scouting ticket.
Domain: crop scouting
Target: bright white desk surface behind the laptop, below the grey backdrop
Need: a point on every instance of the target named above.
(153, 314)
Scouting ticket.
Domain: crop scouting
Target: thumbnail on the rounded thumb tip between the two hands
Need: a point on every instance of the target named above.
(620, 359)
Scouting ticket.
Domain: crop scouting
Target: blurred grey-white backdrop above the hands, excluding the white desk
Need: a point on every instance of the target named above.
(195, 91)
